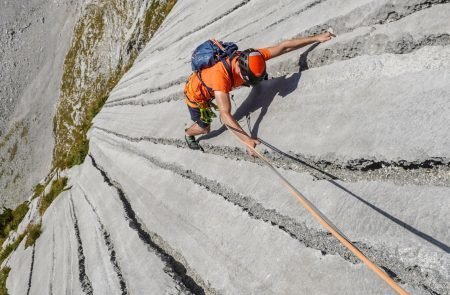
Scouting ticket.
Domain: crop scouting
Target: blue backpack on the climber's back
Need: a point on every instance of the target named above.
(211, 52)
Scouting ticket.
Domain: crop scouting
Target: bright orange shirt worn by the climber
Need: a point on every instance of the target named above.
(215, 77)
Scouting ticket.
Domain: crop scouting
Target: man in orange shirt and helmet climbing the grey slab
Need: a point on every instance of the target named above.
(246, 68)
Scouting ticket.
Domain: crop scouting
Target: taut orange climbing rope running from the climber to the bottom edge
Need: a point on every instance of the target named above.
(323, 220)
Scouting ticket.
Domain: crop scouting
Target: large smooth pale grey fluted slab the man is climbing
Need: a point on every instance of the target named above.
(362, 122)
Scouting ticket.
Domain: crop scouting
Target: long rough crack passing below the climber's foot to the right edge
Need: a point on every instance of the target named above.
(433, 171)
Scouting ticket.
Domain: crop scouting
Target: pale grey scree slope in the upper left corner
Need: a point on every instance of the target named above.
(34, 39)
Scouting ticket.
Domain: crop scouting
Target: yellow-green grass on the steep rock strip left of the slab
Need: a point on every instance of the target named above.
(83, 94)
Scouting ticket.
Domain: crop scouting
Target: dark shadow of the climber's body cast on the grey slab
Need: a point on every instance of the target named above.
(262, 96)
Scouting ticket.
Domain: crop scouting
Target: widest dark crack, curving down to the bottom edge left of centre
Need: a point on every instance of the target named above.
(176, 266)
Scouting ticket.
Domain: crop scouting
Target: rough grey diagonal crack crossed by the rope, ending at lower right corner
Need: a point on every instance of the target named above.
(427, 280)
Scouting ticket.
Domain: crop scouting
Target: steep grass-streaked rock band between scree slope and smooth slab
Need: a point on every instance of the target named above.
(107, 39)
